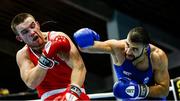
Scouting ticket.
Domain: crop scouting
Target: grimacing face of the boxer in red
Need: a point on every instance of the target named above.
(29, 32)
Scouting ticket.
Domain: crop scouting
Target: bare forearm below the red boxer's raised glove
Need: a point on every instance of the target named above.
(34, 76)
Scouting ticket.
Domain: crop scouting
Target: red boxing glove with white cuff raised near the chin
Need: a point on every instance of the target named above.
(52, 47)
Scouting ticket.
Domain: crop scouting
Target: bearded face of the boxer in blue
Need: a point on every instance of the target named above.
(133, 50)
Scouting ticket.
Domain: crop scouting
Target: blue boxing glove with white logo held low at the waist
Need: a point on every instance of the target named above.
(128, 89)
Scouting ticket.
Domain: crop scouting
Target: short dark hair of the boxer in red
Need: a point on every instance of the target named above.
(19, 18)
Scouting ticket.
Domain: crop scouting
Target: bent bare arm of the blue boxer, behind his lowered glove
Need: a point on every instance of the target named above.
(161, 75)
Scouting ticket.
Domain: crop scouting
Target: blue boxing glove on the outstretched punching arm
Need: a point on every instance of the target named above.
(85, 37)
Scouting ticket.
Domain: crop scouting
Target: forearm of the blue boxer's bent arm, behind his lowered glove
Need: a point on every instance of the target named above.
(158, 91)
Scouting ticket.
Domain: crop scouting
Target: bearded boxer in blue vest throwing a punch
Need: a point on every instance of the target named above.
(141, 67)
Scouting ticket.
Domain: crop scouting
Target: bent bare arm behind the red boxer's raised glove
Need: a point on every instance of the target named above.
(32, 75)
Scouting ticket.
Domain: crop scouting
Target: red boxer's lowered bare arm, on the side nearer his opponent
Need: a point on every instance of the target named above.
(74, 60)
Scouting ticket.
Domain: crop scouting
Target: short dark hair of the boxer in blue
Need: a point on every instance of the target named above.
(139, 35)
